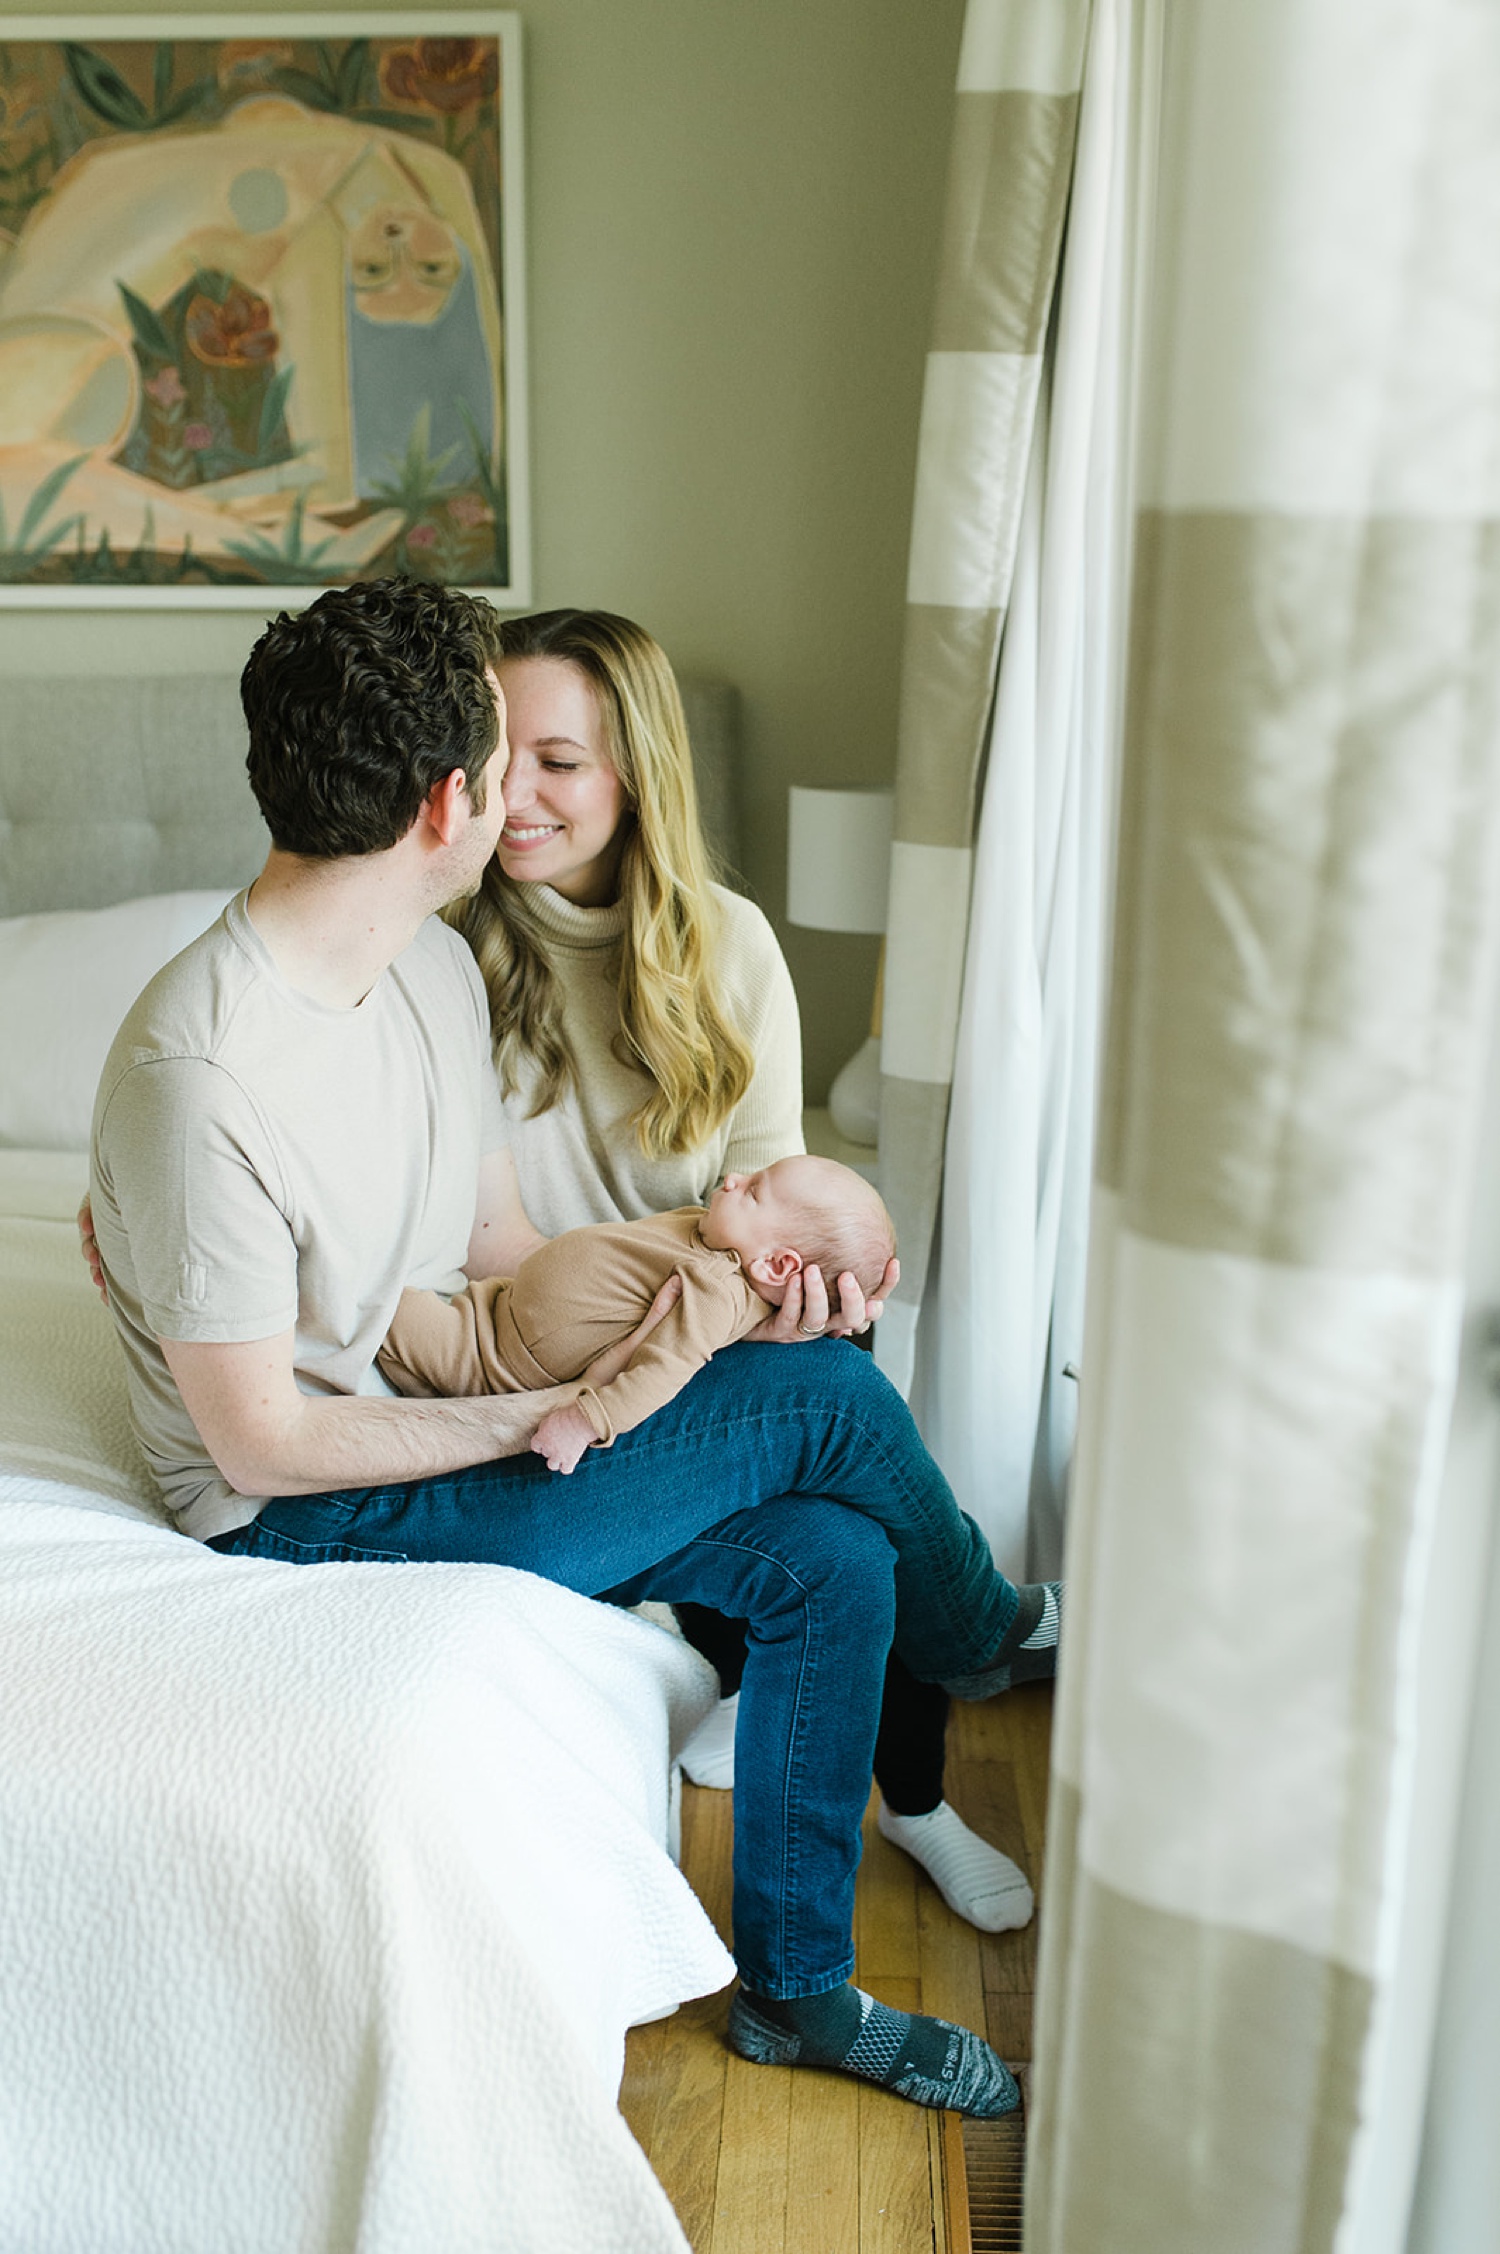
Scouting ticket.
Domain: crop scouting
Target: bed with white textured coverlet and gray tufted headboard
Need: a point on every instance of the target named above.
(326, 1894)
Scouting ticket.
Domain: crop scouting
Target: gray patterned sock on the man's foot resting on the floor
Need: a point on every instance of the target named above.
(928, 2061)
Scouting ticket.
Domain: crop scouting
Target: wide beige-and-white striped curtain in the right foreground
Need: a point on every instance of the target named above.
(1303, 991)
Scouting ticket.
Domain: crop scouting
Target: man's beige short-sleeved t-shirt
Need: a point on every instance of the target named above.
(265, 1162)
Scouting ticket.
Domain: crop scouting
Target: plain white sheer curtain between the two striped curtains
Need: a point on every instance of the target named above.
(1000, 1333)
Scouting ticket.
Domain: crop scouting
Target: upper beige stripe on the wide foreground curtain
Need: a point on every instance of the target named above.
(1309, 826)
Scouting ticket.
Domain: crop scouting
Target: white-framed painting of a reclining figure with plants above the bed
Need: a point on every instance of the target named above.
(263, 317)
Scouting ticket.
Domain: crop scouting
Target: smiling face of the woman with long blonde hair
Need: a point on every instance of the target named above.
(565, 804)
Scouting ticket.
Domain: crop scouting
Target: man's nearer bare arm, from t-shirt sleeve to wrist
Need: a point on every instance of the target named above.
(267, 1437)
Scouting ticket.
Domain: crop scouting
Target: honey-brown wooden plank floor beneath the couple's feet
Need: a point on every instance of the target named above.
(775, 2160)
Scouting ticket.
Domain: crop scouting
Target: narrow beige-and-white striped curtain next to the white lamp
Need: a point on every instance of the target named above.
(1007, 195)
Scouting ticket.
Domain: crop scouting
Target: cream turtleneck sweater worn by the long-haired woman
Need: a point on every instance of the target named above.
(581, 1160)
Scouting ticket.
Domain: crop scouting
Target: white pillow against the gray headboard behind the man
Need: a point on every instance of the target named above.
(67, 982)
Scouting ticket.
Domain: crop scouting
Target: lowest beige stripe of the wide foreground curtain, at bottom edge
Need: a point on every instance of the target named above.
(1244, 2151)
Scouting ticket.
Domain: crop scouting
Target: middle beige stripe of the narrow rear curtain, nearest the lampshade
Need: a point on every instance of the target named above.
(946, 691)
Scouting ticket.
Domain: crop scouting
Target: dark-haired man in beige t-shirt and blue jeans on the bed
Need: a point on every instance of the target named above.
(299, 1119)
